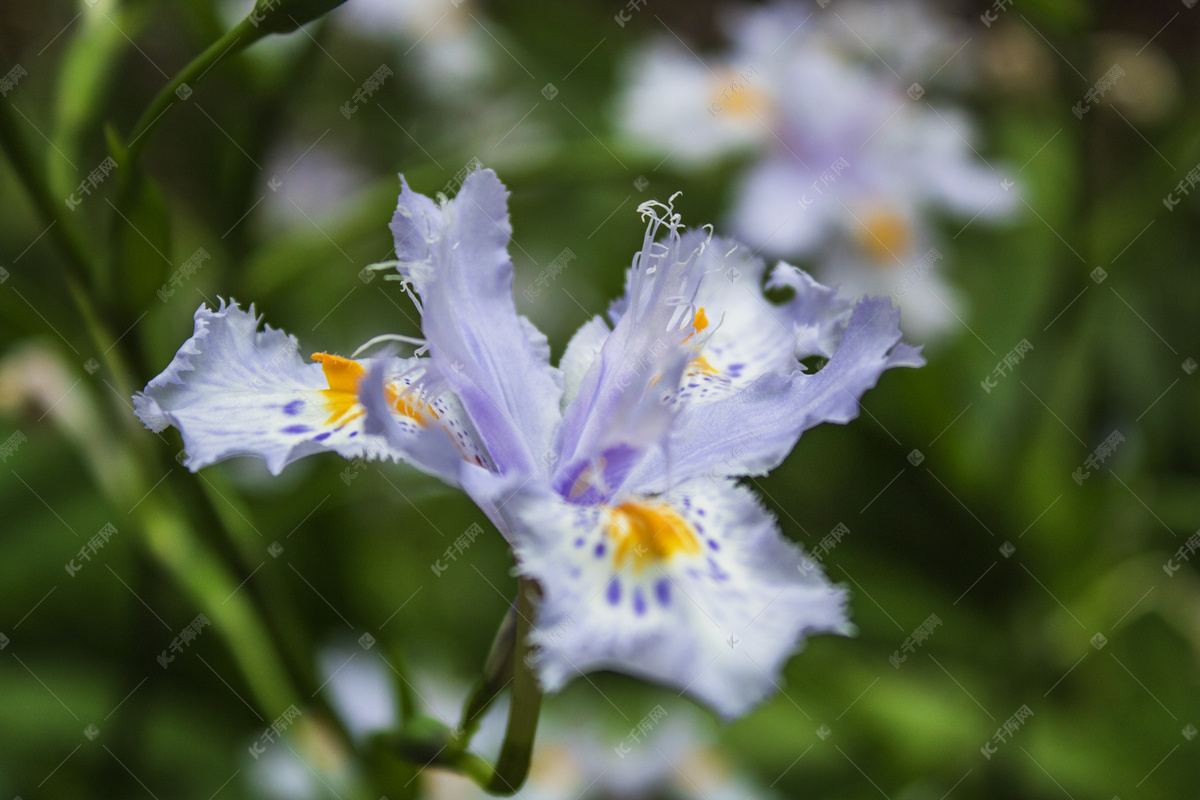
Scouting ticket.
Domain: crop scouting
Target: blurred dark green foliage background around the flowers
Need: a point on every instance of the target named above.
(961, 502)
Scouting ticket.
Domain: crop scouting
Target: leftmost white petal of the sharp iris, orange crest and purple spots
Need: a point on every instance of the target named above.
(236, 390)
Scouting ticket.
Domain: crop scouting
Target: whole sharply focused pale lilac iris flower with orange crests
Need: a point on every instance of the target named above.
(613, 477)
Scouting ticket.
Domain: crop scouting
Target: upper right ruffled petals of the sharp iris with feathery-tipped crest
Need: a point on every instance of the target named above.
(737, 407)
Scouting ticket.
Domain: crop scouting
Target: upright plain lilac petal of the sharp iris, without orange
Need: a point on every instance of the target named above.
(455, 255)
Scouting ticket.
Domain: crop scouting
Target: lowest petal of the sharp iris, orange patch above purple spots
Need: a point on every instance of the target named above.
(695, 590)
